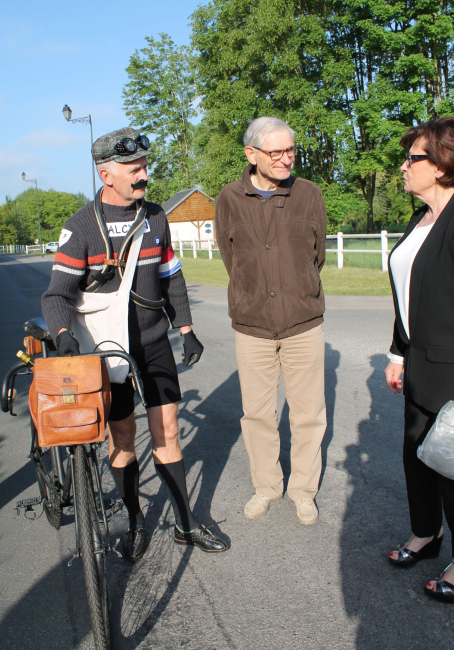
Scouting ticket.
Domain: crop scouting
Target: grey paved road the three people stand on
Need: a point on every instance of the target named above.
(281, 586)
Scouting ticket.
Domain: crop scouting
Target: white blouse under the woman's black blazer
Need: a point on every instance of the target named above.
(401, 263)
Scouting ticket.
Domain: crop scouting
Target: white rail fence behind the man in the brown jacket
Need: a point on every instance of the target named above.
(197, 245)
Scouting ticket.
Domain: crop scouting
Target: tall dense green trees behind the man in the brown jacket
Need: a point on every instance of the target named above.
(349, 76)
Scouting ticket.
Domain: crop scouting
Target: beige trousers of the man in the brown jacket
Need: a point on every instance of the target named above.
(302, 360)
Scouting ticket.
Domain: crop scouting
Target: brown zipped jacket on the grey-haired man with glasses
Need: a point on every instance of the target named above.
(273, 250)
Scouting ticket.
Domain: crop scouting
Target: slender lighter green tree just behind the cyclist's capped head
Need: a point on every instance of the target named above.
(161, 100)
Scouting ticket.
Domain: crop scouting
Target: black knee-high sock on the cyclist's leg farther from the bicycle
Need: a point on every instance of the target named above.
(173, 478)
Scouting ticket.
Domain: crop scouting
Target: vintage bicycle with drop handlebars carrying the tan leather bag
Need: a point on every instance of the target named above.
(69, 477)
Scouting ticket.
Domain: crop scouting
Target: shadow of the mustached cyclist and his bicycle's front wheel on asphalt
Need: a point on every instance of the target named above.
(143, 591)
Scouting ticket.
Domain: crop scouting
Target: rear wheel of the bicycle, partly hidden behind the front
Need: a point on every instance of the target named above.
(46, 473)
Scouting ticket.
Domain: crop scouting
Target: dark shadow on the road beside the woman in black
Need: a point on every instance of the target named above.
(389, 604)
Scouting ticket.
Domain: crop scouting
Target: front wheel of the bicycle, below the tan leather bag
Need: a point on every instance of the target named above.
(92, 549)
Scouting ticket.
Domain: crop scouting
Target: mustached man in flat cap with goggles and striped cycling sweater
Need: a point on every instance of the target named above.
(121, 162)
